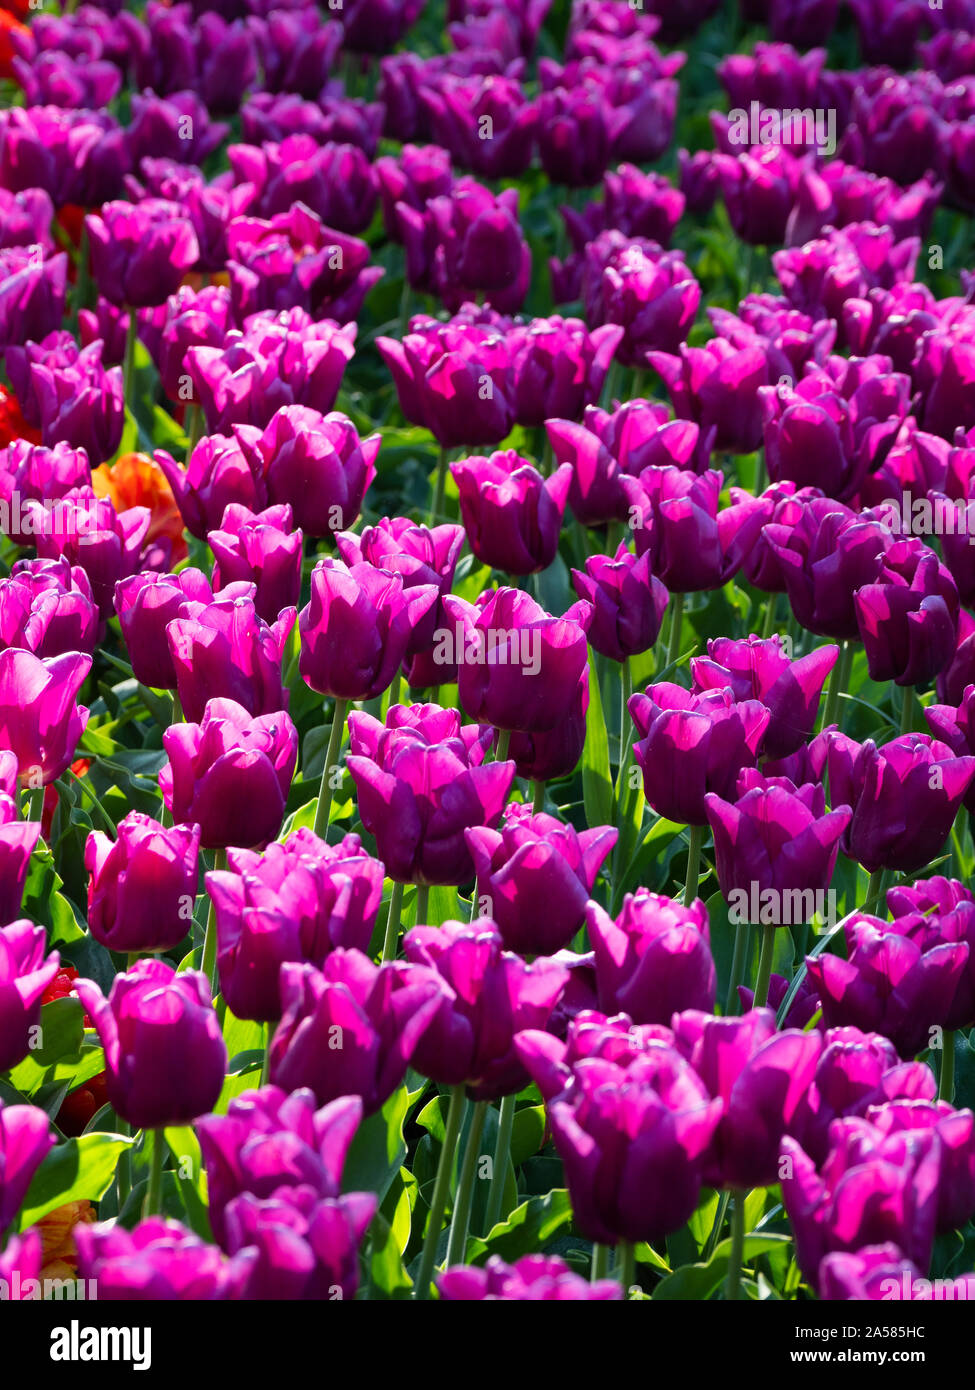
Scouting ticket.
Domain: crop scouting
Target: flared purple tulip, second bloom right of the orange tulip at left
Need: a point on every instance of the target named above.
(318, 465)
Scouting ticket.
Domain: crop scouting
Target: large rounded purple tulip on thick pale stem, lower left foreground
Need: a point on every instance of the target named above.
(165, 1054)
